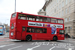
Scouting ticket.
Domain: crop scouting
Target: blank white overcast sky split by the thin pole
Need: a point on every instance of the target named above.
(27, 6)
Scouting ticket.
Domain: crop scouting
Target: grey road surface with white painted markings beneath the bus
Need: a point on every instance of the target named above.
(9, 44)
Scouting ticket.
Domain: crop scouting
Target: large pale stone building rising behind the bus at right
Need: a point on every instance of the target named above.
(62, 9)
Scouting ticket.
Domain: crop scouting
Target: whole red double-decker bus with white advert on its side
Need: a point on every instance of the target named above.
(24, 26)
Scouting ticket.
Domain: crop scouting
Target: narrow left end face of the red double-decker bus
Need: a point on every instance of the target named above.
(12, 34)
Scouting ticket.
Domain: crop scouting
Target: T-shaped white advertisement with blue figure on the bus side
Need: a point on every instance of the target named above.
(53, 26)
